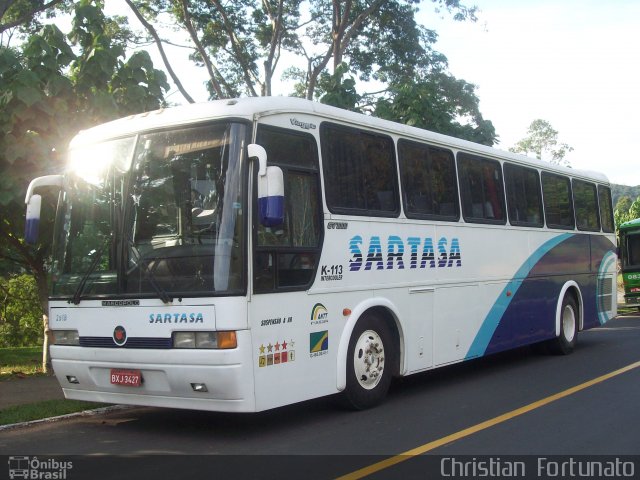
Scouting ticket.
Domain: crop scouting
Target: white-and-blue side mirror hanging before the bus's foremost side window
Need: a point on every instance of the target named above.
(270, 189)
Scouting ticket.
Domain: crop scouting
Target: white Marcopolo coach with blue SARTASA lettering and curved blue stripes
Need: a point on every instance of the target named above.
(187, 273)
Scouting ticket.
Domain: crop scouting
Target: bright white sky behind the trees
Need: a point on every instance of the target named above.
(573, 63)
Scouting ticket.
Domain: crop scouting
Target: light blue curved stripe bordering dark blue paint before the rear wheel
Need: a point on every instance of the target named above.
(490, 323)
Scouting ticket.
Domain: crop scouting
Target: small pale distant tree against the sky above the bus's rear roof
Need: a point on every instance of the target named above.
(542, 140)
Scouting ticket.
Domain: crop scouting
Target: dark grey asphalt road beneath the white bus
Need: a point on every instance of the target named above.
(469, 409)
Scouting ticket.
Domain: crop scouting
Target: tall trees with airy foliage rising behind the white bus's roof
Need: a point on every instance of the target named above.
(333, 50)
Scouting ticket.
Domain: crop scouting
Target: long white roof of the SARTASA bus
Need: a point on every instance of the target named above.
(255, 107)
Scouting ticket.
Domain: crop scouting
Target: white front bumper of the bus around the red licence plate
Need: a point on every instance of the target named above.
(167, 376)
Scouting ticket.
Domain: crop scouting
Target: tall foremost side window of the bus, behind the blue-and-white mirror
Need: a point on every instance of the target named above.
(286, 257)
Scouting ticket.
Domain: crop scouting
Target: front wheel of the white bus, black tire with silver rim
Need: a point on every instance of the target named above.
(370, 361)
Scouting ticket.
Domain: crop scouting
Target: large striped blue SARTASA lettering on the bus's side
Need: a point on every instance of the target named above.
(396, 253)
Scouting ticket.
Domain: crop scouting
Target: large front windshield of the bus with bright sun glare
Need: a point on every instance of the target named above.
(159, 214)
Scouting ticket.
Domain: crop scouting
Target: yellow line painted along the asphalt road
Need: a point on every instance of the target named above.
(427, 447)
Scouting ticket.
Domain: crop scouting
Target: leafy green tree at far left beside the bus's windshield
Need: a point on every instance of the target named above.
(51, 87)
